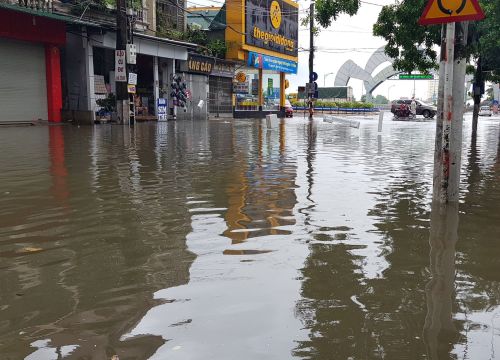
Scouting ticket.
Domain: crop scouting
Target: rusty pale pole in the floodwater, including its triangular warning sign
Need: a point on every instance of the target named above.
(449, 123)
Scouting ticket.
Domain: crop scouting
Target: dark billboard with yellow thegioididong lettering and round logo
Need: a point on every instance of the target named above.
(272, 25)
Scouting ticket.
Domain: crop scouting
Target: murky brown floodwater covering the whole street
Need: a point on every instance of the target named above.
(226, 240)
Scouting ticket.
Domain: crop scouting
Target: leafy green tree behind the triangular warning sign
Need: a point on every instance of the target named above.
(411, 45)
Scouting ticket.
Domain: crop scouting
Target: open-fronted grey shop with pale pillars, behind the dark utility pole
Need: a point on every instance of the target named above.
(92, 80)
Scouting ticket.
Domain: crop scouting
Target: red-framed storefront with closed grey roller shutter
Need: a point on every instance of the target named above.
(30, 67)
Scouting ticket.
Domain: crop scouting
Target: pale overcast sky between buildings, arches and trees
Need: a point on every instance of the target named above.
(349, 38)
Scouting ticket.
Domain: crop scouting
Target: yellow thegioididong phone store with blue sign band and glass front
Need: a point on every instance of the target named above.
(263, 39)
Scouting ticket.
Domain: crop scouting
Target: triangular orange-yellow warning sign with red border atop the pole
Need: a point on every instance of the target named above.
(446, 11)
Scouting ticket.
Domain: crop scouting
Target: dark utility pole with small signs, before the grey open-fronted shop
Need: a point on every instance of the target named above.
(122, 98)
